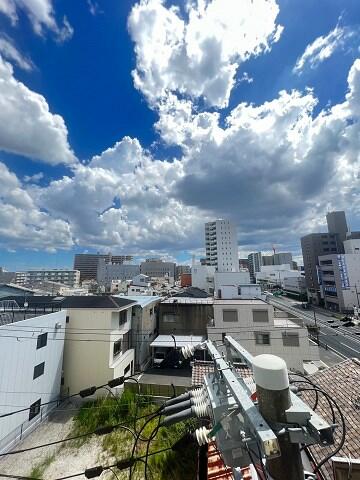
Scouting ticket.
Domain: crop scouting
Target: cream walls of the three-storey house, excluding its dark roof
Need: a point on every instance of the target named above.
(92, 363)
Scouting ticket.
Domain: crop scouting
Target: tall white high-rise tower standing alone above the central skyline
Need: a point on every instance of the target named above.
(221, 246)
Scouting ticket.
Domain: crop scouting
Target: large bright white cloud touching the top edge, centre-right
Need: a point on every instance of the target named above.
(198, 55)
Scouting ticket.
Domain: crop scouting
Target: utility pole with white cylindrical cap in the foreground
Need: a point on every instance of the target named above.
(272, 387)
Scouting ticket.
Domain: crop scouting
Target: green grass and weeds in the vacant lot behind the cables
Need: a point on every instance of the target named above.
(118, 444)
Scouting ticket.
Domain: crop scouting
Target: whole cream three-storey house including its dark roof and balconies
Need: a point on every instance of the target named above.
(105, 322)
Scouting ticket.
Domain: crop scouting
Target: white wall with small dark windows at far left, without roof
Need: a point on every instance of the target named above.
(18, 357)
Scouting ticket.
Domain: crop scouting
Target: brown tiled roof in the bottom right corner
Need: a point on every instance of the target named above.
(342, 382)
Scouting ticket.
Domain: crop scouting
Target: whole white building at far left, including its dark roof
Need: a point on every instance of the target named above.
(31, 357)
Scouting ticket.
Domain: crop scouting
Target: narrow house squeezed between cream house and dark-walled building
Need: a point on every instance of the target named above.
(144, 327)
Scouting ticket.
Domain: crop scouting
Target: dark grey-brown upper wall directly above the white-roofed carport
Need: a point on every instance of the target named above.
(189, 319)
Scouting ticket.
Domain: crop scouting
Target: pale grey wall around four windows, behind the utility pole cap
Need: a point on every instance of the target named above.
(244, 329)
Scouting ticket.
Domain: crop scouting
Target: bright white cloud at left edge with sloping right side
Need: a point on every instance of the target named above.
(27, 127)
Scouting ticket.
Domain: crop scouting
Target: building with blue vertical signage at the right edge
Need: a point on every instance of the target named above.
(339, 276)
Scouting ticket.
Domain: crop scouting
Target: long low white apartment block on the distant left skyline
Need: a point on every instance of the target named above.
(67, 277)
